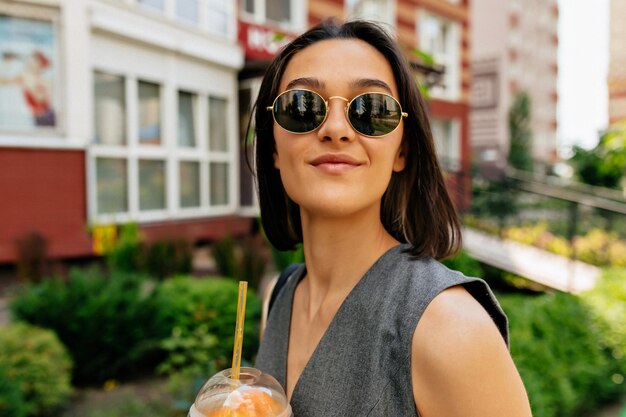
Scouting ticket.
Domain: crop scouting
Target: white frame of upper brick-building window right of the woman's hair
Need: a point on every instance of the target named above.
(452, 58)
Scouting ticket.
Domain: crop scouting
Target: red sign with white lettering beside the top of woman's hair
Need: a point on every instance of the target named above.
(262, 42)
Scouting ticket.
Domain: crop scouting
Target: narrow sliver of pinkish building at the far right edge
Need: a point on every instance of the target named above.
(617, 62)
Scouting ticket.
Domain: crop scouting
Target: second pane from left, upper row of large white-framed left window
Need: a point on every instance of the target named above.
(149, 113)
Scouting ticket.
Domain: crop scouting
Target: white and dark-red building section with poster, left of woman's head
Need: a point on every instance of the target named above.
(114, 111)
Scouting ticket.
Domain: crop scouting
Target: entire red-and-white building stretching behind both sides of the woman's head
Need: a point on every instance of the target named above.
(115, 111)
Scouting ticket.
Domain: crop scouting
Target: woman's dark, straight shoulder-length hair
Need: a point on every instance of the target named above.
(416, 207)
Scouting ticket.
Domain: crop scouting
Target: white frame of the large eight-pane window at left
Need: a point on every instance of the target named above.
(168, 151)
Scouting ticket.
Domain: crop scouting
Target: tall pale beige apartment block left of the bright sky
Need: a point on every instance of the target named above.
(514, 49)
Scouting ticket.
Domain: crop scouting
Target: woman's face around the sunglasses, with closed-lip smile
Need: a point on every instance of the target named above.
(334, 170)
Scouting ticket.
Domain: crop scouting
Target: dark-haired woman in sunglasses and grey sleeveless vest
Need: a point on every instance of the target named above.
(372, 324)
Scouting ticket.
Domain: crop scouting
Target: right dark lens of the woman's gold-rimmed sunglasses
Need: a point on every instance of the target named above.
(374, 114)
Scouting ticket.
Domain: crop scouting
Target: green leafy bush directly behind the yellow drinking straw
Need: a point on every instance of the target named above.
(195, 307)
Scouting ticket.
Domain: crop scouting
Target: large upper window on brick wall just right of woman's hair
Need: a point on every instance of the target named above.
(441, 39)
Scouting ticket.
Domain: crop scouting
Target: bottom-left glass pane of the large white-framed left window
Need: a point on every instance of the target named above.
(111, 186)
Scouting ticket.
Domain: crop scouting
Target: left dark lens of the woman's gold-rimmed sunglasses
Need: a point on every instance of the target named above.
(299, 111)
